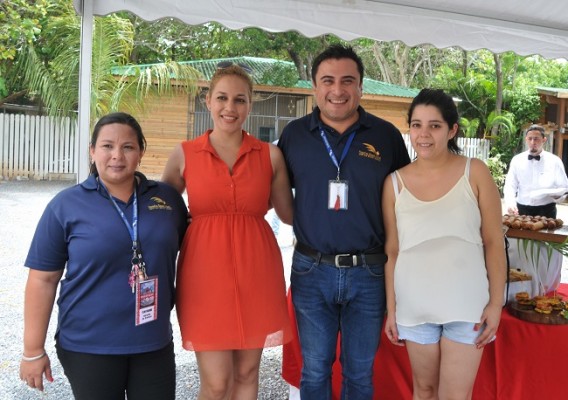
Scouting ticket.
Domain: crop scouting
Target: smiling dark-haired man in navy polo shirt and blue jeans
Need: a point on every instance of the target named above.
(338, 157)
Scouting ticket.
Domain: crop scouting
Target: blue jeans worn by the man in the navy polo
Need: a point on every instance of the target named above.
(328, 300)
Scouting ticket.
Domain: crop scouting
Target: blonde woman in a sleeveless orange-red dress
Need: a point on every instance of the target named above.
(231, 299)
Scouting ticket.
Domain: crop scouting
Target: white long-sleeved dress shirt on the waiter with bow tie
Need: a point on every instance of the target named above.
(535, 183)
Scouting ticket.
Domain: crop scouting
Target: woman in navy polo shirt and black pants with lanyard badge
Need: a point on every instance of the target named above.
(111, 244)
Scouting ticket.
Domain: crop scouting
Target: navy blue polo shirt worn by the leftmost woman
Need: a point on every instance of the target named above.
(81, 232)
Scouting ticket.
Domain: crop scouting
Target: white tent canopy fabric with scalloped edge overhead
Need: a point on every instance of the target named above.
(523, 26)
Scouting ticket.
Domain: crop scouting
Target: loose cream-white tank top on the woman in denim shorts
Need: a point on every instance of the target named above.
(440, 273)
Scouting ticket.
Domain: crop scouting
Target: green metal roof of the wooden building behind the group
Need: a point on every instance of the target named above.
(262, 66)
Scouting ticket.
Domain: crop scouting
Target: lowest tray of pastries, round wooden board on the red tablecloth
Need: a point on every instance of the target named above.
(550, 310)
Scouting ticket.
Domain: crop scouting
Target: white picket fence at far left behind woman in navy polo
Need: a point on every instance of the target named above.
(37, 147)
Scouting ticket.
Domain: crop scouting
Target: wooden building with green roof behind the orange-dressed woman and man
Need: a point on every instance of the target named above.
(166, 121)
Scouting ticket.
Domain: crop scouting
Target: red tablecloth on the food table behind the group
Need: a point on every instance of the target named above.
(527, 361)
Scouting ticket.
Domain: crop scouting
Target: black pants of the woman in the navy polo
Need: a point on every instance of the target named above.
(143, 376)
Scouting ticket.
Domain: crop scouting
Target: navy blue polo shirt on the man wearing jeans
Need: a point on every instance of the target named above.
(377, 150)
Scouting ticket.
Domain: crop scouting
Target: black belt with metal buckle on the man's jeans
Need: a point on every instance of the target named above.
(372, 256)
